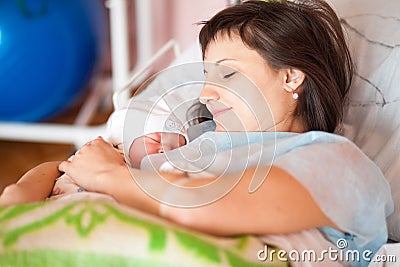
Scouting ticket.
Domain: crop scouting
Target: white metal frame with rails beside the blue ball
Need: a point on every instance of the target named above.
(122, 79)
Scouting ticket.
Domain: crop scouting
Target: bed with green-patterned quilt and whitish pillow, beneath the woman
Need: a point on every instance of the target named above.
(89, 229)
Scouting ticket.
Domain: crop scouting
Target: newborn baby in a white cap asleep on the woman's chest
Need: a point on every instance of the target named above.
(162, 132)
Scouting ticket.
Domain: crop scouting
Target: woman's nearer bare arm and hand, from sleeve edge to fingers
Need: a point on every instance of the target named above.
(280, 205)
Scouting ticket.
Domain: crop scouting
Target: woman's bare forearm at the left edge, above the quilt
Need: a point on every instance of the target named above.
(35, 185)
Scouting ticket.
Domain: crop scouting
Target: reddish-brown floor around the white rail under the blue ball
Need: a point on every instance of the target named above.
(18, 157)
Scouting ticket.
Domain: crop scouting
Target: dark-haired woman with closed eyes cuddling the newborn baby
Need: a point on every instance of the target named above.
(296, 57)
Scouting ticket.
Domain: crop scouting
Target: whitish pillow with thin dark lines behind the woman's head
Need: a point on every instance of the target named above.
(372, 118)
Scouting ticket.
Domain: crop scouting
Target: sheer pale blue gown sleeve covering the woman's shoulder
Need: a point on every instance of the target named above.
(342, 180)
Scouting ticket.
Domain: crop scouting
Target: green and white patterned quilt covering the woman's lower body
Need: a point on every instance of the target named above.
(89, 229)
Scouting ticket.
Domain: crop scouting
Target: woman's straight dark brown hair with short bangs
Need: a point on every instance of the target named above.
(305, 35)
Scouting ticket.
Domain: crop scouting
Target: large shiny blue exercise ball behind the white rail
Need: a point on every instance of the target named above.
(49, 49)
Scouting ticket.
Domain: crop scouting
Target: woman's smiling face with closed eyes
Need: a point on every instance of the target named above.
(242, 91)
